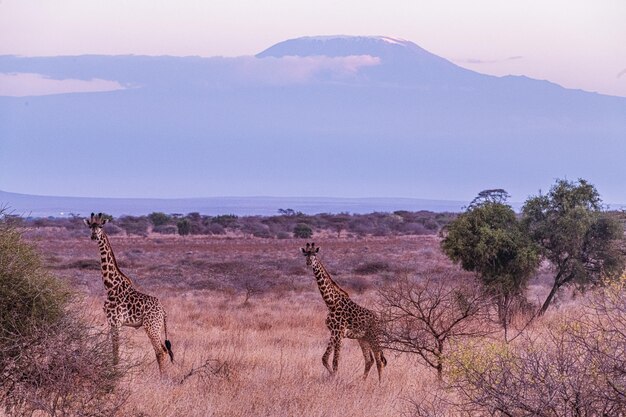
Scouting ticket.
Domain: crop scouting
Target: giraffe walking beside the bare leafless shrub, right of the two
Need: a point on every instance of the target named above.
(346, 319)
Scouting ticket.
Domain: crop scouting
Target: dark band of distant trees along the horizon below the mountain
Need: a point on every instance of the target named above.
(286, 224)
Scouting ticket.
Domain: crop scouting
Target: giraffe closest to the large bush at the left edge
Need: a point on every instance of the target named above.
(125, 306)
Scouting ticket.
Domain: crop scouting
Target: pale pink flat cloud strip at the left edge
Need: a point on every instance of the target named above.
(30, 84)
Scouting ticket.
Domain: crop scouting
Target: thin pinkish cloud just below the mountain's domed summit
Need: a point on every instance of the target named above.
(297, 69)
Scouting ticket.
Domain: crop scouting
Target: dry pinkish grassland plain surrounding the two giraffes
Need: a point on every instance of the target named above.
(247, 325)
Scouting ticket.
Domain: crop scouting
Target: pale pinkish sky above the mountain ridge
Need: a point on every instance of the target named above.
(575, 43)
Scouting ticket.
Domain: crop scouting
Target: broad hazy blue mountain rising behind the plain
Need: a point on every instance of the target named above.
(317, 116)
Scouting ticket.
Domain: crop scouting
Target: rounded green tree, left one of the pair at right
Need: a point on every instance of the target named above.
(488, 239)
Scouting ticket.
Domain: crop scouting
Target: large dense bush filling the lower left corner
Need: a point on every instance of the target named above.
(52, 362)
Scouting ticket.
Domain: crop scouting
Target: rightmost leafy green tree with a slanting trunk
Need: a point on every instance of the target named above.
(575, 235)
